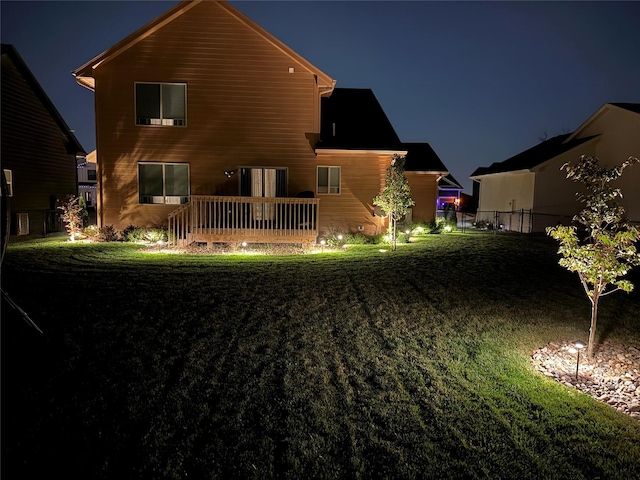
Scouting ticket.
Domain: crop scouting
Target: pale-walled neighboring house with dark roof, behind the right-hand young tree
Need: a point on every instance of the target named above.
(529, 192)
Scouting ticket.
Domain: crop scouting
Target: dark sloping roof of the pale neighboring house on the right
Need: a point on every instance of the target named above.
(534, 156)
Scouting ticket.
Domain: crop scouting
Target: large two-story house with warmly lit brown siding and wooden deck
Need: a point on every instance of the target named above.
(207, 121)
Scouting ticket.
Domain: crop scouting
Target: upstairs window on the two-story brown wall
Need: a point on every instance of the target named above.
(161, 104)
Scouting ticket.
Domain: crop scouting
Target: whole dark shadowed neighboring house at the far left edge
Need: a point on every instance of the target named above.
(38, 150)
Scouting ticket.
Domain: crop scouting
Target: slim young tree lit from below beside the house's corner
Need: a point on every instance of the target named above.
(395, 198)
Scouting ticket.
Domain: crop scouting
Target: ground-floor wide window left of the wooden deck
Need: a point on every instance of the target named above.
(163, 183)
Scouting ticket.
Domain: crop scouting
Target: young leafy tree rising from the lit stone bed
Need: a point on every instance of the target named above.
(607, 250)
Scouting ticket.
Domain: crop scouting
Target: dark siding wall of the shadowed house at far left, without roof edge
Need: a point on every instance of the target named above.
(33, 148)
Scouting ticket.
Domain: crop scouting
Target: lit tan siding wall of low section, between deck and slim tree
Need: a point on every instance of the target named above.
(362, 177)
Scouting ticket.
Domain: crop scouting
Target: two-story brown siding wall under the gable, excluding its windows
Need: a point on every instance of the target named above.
(244, 108)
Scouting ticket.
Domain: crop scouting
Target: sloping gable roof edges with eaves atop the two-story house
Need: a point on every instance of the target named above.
(84, 74)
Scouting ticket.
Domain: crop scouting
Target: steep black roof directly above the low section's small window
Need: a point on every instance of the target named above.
(352, 119)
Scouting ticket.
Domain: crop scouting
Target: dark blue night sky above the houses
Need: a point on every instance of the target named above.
(479, 81)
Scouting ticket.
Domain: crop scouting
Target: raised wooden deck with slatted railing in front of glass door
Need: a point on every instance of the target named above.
(221, 219)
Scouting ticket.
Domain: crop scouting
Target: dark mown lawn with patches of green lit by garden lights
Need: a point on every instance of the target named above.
(356, 364)
